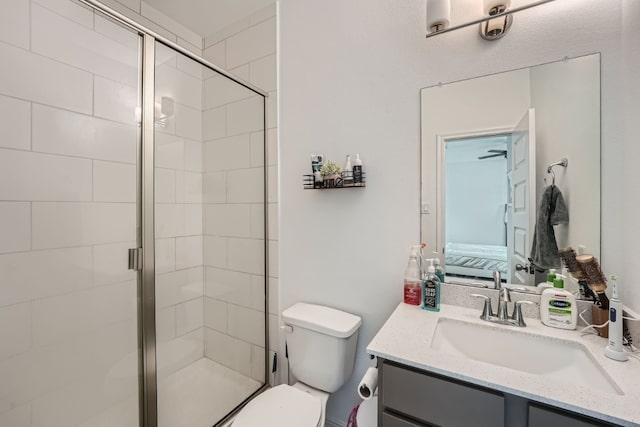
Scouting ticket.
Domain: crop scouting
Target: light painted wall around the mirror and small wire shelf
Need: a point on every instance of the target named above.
(350, 76)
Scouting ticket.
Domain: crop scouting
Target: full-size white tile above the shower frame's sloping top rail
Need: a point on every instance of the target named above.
(255, 42)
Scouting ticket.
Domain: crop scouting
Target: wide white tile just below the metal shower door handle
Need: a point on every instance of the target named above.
(72, 314)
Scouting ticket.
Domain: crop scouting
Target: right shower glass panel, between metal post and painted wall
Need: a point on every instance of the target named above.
(210, 241)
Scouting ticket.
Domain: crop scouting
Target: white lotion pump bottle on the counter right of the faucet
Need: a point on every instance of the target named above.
(558, 307)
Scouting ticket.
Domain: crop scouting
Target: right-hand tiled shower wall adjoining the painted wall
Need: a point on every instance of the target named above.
(247, 49)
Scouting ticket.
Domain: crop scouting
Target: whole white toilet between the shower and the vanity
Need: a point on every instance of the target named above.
(321, 344)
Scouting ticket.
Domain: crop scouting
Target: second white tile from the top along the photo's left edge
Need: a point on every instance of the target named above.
(35, 78)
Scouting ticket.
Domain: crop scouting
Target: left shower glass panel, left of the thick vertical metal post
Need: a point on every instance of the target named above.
(69, 144)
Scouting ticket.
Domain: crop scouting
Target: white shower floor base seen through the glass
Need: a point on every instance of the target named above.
(198, 395)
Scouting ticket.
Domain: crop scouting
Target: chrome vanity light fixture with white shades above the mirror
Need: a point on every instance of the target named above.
(494, 24)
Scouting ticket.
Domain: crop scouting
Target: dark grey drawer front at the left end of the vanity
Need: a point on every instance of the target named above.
(439, 401)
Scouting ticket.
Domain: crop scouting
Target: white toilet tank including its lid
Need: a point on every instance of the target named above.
(321, 344)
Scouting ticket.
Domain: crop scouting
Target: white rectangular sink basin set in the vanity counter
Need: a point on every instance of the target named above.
(563, 361)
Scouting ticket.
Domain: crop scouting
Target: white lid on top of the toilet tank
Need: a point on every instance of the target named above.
(322, 319)
